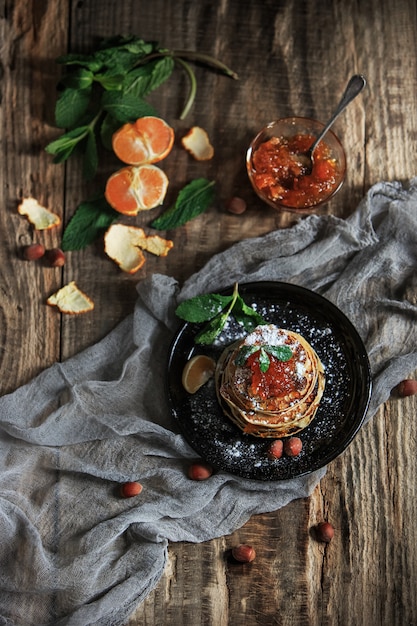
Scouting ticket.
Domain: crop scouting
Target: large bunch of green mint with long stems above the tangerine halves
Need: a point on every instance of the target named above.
(105, 89)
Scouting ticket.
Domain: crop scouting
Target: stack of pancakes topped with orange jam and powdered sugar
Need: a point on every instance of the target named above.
(279, 401)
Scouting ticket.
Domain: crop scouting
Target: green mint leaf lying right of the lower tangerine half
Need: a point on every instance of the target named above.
(192, 200)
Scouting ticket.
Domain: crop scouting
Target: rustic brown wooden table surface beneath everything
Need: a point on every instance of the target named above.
(293, 58)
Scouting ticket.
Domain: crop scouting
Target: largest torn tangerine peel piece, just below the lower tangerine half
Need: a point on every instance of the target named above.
(124, 245)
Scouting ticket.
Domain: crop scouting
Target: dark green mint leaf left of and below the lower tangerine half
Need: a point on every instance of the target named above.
(88, 222)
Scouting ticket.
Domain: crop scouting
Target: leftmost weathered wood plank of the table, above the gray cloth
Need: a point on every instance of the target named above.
(32, 34)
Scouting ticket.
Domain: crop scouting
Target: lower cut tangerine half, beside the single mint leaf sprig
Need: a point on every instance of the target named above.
(136, 188)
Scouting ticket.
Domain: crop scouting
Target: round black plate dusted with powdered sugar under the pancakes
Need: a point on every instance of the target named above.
(342, 409)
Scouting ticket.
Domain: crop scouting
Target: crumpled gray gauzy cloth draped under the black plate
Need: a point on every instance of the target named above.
(72, 551)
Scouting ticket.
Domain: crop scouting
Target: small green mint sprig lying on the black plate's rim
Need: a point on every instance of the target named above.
(215, 309)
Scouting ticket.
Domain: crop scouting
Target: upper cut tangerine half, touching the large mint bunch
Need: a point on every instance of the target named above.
(148, 140)
